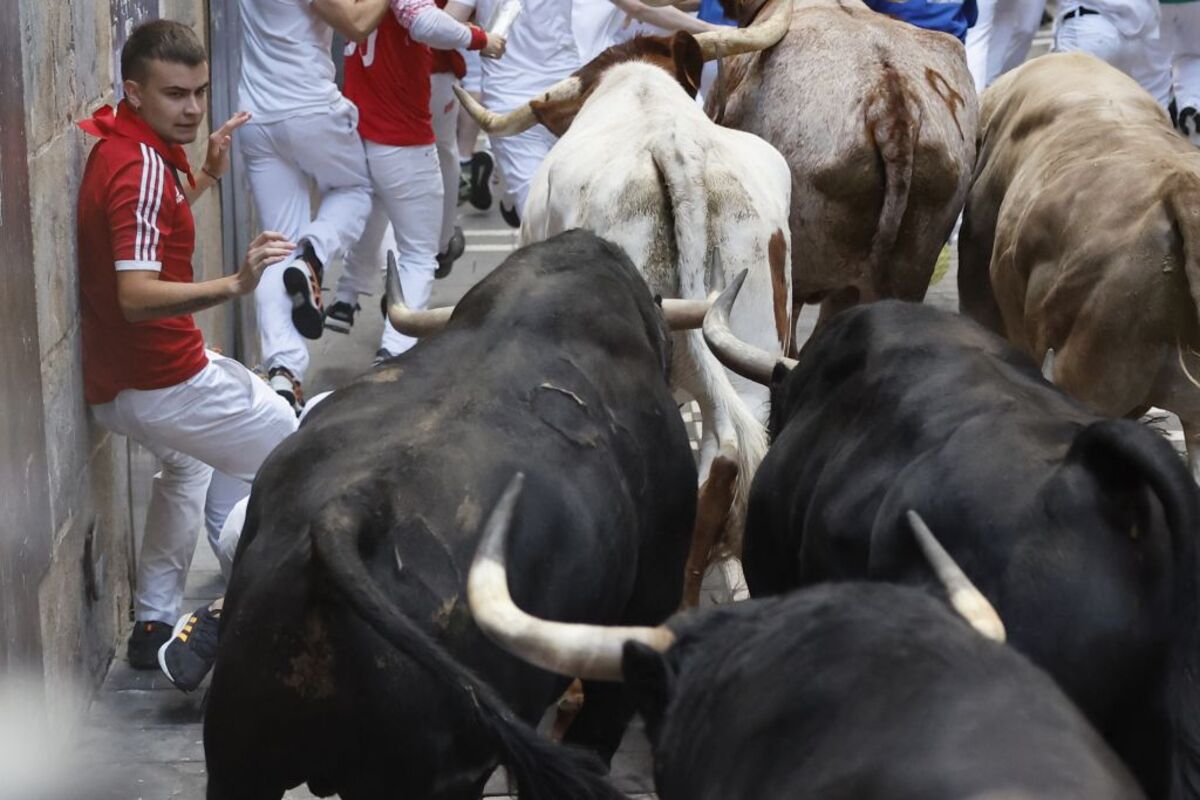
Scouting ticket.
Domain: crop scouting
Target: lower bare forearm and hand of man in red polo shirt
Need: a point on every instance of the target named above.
(145, 297)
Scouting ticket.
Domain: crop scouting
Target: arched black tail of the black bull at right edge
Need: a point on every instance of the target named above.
(1125, 443)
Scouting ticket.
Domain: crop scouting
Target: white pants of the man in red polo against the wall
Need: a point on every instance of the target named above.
(211, 435)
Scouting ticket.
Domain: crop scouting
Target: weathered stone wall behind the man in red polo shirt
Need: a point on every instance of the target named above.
(69, 71)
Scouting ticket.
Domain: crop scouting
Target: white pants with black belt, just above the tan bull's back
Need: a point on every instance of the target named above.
(1142, 58)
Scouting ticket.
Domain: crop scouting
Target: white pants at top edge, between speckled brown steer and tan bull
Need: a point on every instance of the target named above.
(1001, 38)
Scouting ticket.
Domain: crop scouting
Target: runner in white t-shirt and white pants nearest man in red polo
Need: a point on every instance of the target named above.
(303, 130)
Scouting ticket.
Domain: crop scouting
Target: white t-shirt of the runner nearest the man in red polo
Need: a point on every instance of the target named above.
(286, 63)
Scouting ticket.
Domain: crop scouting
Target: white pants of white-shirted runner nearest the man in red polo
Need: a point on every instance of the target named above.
(281, 160)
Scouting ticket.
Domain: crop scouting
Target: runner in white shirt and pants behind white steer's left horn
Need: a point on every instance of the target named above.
(542, 51)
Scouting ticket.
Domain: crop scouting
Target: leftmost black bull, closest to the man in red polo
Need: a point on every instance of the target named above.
(350, 578)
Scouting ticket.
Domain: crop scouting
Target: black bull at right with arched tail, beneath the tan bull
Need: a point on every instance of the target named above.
(1081, 531)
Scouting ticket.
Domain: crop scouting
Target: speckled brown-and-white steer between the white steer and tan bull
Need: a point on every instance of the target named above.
(878, 122)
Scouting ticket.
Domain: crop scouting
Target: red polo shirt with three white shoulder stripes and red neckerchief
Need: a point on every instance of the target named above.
(134, 216)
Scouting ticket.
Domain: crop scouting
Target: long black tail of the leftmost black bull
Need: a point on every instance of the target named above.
(543, 769)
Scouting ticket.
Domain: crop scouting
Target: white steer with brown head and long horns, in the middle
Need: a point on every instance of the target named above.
(693, 204)
